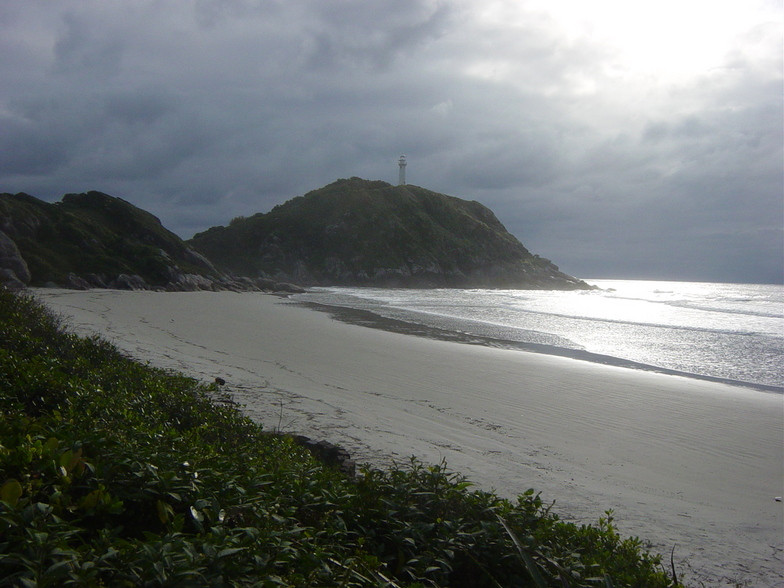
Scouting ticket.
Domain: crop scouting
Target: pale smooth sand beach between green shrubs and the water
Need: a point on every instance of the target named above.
(683, 463)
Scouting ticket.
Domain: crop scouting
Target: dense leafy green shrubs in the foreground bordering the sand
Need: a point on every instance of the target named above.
(113, 473)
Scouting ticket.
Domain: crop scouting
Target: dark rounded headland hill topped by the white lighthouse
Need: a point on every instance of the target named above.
(361, 232)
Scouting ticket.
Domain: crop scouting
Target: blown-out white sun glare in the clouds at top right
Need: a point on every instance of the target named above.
(664, 38)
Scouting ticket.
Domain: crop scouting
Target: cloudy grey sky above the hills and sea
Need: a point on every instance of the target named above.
(620, 139)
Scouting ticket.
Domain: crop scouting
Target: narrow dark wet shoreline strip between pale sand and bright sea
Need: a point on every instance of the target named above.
(367, 318)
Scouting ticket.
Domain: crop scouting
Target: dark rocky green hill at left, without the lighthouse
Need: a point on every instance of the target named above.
(94, 240)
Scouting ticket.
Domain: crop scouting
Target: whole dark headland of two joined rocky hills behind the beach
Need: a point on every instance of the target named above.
(352, 232)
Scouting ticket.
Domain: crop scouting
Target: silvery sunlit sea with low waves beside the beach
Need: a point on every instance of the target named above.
(724, 332)
